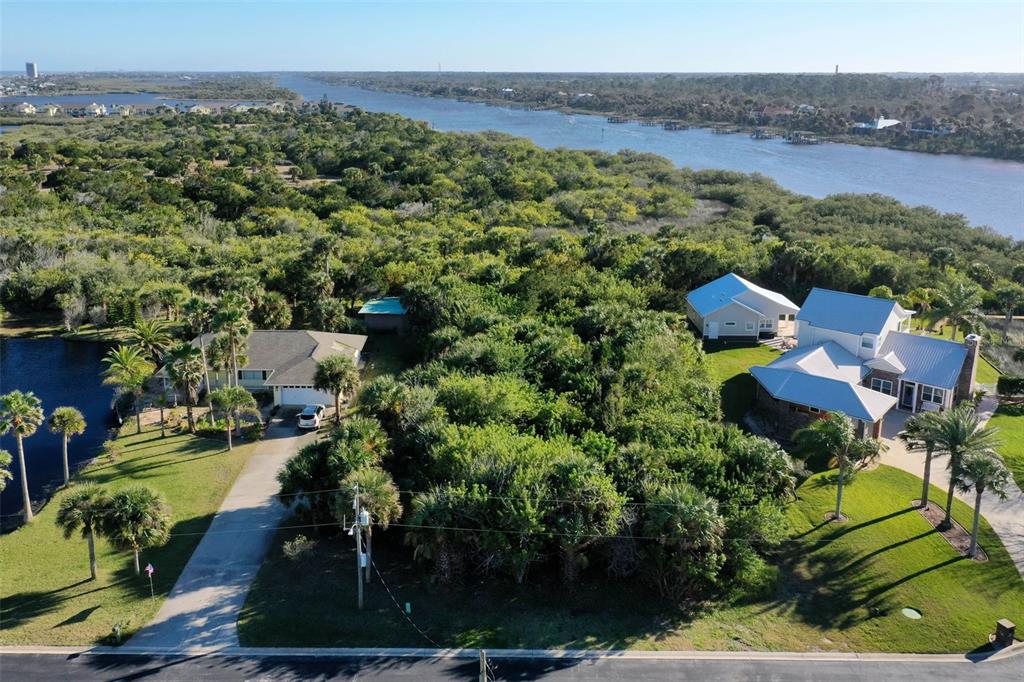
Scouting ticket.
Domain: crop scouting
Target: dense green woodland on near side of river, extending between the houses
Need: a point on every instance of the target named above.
(558, 410)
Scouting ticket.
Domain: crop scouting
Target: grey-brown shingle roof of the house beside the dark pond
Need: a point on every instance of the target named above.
(292, 355)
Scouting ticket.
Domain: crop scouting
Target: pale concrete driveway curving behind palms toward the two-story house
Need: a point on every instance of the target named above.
(1006, 517)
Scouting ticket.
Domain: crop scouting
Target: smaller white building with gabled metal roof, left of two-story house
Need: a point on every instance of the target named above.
(734, 308)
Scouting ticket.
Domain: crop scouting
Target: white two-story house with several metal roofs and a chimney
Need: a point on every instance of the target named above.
(856, 356)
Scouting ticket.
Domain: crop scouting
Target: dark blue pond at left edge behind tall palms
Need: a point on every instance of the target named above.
(60, 373)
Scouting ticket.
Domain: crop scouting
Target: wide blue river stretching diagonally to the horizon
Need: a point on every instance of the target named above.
(988, 192)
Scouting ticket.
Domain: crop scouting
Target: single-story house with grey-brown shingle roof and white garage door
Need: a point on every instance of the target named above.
(284, 362)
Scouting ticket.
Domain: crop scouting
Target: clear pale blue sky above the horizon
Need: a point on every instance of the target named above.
(148, 35)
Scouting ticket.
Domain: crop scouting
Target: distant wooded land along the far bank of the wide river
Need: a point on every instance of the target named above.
(978, 115)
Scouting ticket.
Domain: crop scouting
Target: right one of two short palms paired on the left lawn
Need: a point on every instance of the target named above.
(137, 519)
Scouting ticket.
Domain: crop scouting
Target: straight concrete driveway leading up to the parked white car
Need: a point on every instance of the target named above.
(204, 607)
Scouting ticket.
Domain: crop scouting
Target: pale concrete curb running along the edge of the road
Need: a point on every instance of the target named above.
(564, 655)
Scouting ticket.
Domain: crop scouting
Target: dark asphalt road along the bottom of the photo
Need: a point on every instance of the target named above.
(28, 668)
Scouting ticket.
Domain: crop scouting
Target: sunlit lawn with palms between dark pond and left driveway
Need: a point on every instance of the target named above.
(47, 596)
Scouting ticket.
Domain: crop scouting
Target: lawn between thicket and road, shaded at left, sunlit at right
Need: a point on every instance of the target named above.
(840, 588)
